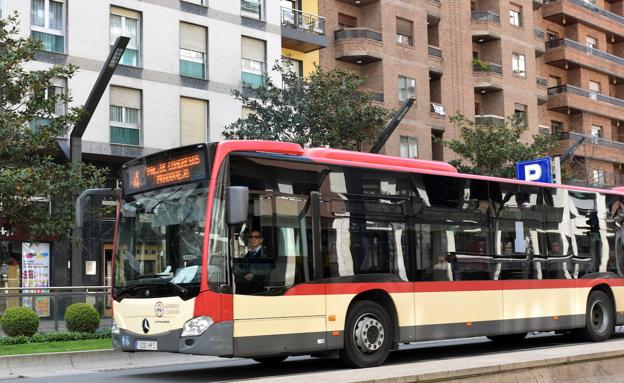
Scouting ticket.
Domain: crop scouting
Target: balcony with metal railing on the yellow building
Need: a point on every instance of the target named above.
(302, 31)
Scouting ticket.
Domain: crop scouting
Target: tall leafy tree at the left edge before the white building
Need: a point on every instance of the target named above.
(36, 189)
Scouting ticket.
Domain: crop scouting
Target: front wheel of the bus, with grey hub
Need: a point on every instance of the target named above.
(368, 335)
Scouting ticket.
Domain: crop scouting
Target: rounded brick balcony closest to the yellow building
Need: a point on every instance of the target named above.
(358, 45)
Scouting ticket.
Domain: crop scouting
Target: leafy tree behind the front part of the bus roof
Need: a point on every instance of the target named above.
(326, 108)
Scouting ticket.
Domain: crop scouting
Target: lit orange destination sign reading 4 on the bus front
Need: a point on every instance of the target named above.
(169, 170)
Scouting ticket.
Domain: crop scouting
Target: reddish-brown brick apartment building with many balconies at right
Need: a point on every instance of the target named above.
(558, 64)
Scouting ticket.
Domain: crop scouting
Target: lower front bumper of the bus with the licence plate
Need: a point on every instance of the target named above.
(217, 340)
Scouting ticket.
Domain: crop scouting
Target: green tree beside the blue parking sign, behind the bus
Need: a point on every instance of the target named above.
(494, 150)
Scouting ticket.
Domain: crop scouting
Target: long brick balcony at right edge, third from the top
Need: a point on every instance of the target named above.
(571, 99)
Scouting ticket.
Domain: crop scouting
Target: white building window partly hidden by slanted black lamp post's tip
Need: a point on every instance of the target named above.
(125, 22)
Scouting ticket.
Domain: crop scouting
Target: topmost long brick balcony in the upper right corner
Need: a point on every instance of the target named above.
(568, 12)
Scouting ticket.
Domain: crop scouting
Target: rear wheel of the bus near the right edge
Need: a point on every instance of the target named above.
(599, 318)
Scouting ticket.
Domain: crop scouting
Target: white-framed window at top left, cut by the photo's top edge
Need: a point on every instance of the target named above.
(47, 24)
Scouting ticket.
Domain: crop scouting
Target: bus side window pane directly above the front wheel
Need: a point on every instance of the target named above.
(363, 228)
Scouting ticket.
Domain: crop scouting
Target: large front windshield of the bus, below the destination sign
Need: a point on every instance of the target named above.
(159, 246)
